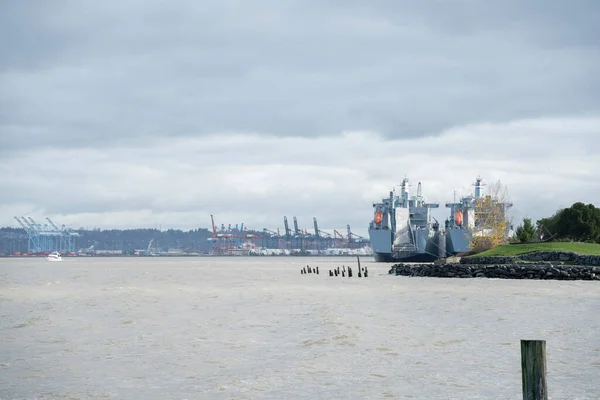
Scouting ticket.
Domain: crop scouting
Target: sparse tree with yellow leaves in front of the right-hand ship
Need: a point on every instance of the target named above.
(492, 222)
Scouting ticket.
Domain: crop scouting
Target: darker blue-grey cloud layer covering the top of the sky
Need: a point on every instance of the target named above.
(86, 73)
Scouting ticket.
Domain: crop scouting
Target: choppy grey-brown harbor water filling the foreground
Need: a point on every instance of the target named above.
(255, 328)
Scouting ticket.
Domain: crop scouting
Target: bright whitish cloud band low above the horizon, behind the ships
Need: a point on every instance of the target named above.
(544, 163)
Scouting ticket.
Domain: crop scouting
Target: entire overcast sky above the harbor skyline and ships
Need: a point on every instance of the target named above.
(157, 114)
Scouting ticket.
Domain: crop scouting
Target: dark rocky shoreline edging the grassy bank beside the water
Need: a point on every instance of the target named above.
(538, 265)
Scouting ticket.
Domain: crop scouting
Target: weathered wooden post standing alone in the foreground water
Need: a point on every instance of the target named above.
(533, 369)
